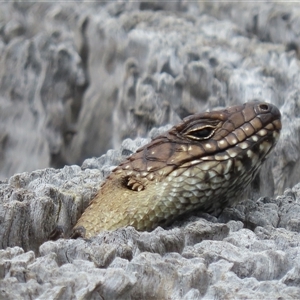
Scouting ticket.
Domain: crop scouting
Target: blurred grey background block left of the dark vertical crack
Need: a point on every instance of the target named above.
(41, 82)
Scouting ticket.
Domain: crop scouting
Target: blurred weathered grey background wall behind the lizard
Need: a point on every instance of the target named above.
(100, 73)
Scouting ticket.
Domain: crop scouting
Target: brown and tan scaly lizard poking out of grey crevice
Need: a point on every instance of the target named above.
(203, 163)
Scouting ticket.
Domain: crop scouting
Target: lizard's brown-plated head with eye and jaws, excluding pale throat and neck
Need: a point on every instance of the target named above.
(247, 131)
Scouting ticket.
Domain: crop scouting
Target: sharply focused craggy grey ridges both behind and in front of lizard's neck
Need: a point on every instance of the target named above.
(195, 259)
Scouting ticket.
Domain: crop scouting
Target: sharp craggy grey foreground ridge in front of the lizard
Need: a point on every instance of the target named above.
(117, 265)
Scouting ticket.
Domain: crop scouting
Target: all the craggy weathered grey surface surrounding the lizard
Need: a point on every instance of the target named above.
(77, 79)
